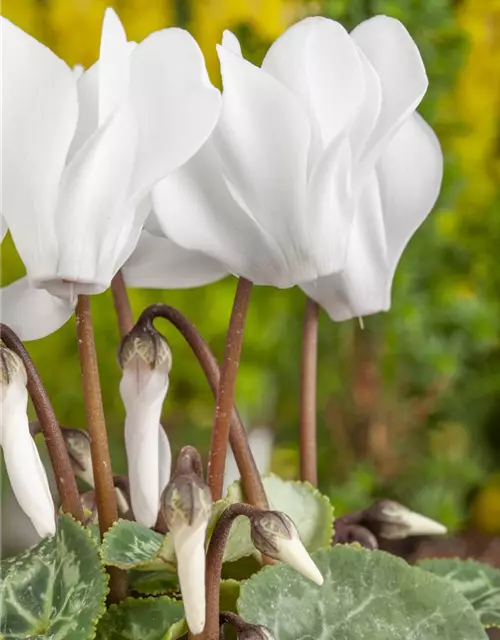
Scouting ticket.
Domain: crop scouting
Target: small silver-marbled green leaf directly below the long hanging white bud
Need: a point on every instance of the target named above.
(128, 545)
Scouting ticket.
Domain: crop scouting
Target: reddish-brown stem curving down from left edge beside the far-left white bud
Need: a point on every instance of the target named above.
(59, 458)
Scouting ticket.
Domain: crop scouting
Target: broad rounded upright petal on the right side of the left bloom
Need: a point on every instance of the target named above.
(176, 106)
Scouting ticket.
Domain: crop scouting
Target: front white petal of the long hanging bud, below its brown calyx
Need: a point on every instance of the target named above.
(143, 392)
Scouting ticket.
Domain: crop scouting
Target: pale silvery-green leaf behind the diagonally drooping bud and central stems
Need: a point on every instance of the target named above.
(311, 512)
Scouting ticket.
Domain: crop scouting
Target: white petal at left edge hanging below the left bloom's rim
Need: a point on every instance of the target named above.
(32, 313)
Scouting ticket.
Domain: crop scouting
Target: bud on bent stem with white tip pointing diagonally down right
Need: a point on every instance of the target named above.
(275, 535)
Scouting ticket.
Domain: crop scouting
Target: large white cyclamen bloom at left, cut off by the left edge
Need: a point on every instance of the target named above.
(80, 154)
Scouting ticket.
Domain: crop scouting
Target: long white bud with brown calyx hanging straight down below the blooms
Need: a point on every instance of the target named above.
(145, 359)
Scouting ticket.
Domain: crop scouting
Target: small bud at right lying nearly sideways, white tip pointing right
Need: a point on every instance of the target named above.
(393, 521)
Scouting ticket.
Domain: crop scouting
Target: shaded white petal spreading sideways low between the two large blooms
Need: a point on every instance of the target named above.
(159, 263)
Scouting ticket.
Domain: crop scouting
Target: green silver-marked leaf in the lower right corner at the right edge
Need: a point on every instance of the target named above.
(477, 582)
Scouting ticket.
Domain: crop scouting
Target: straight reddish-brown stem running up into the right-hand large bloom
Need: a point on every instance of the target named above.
(224, 404)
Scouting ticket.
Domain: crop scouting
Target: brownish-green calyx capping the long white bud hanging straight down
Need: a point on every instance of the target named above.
(146, 345)
